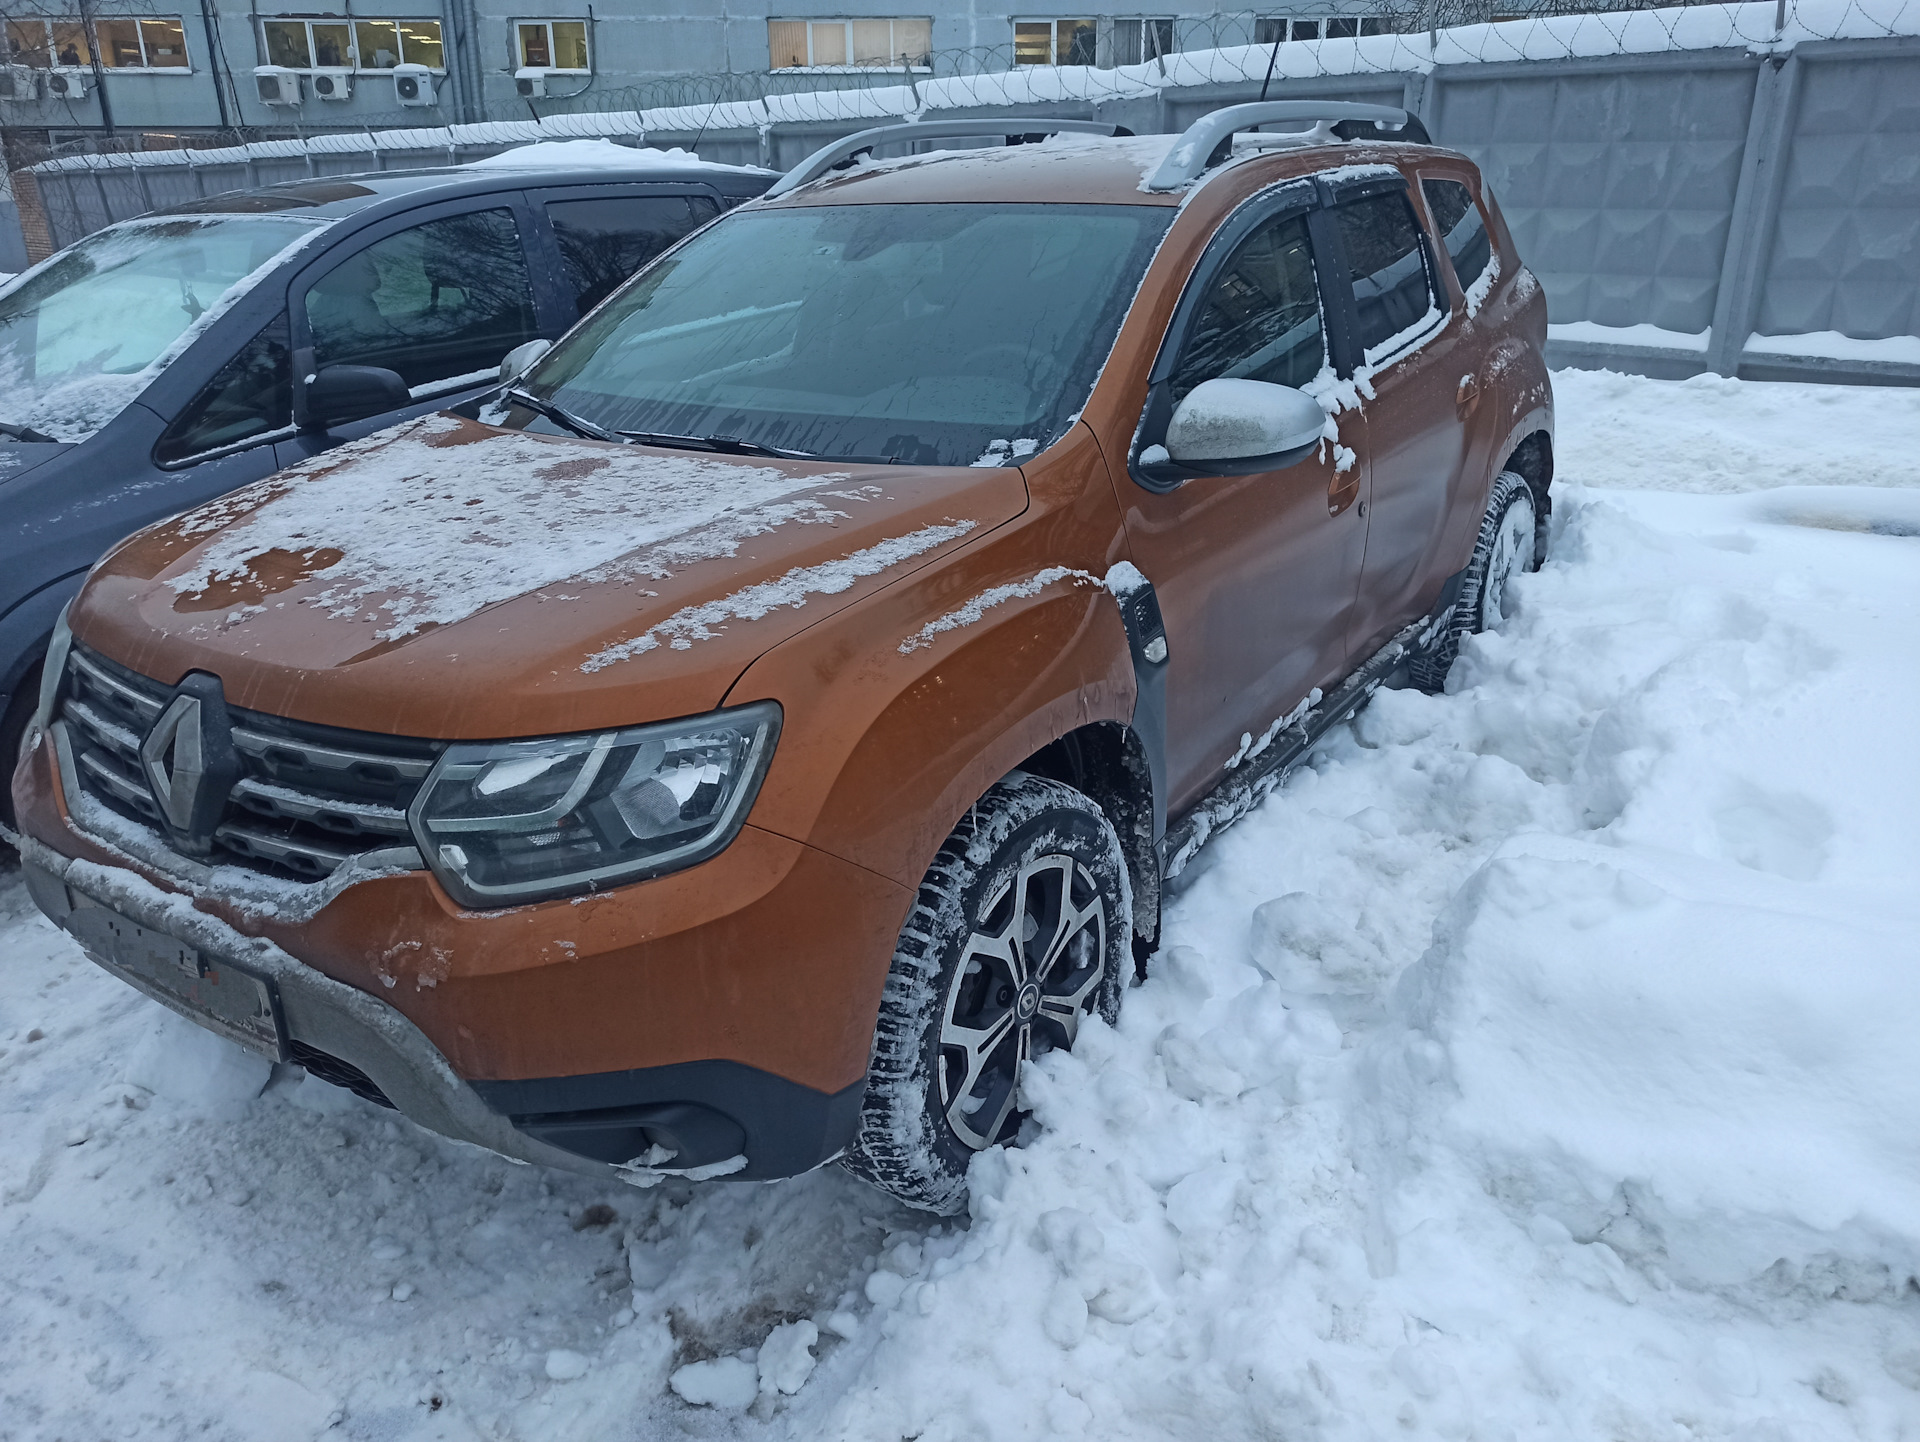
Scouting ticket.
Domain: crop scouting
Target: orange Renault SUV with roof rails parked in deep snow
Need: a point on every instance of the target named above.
(775, 717)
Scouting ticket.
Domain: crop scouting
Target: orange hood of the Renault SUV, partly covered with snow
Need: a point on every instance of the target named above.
(458, 581)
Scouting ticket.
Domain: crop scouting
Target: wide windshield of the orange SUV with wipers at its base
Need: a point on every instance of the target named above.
(932, 335)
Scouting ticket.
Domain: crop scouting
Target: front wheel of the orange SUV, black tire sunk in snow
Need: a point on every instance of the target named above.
(930, 1101)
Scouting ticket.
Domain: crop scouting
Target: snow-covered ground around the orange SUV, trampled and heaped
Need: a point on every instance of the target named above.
(1535, 1065)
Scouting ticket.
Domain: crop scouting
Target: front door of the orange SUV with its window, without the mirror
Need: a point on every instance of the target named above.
(1257, 575)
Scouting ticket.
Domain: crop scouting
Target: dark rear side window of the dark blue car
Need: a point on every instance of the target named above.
(596, 237)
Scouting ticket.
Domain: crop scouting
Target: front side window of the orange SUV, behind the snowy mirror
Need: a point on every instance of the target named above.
(1260, 320)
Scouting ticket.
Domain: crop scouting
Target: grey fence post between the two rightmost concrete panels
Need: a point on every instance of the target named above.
(1756, 210)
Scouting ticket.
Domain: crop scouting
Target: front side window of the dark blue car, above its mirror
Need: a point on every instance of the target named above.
(441, 300)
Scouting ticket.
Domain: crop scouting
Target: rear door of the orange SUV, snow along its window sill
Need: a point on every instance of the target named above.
(1412, 354)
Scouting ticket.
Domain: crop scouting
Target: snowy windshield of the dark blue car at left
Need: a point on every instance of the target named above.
(85, 333)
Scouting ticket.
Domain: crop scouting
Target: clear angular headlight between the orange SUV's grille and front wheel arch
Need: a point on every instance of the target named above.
(506, 823)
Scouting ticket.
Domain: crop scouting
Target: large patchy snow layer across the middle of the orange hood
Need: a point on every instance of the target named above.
(410, 537)
